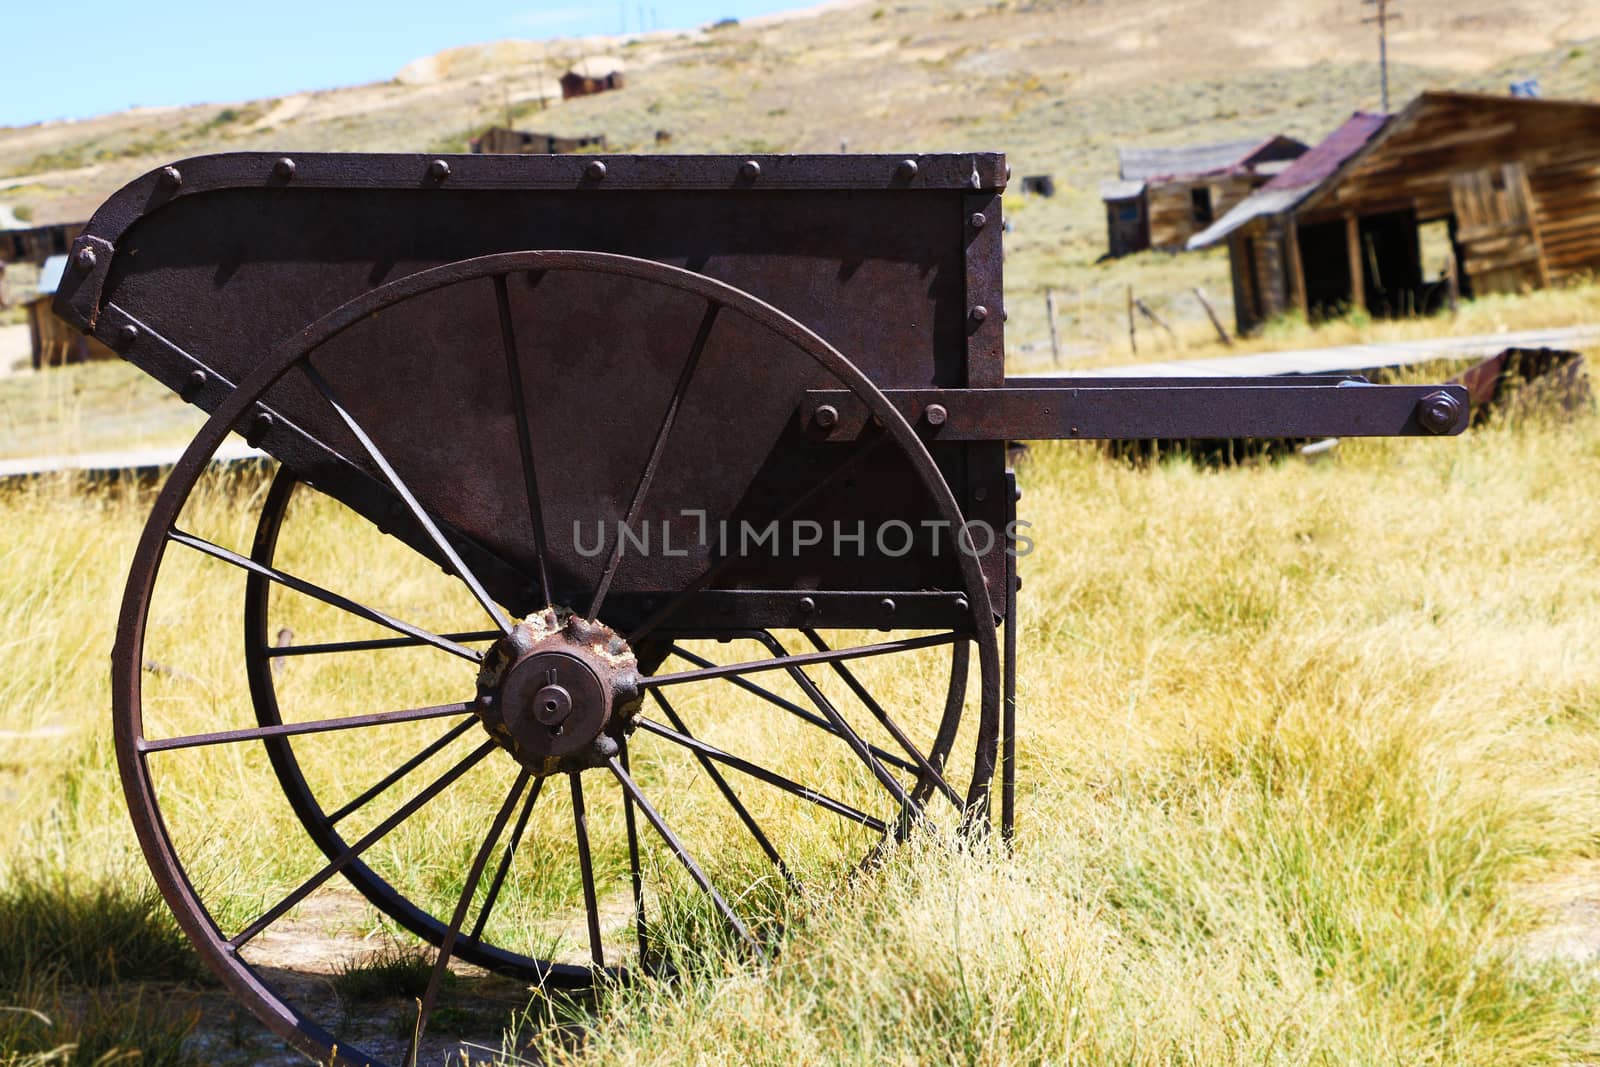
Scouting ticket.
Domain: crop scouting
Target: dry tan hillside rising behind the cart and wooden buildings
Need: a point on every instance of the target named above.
(1057, 84)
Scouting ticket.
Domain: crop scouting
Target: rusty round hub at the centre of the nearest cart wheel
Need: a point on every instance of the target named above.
(559, 692)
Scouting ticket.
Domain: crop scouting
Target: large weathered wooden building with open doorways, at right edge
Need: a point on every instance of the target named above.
(1502, 191)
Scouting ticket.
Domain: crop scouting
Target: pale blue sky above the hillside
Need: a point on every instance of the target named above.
(78, 58)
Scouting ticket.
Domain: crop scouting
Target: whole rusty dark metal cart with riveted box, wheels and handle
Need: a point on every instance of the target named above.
(785, 370)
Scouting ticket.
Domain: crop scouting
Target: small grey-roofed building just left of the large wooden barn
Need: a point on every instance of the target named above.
(1167, 196)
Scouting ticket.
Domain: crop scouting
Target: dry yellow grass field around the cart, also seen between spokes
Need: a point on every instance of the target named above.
(1303, 746)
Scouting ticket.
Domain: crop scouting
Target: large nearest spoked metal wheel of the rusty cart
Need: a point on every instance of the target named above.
(697, 767)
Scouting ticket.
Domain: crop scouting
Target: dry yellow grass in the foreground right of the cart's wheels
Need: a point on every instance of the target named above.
(1290, 738)
